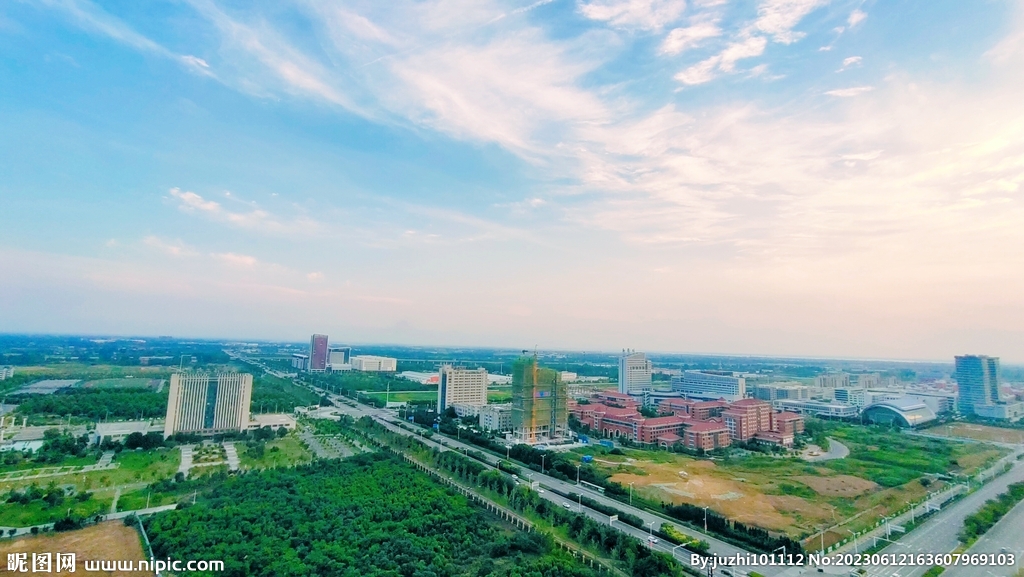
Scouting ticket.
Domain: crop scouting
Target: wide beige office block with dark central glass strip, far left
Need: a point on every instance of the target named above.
(206, 403)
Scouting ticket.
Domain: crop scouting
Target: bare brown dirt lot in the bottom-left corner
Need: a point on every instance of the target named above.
(110, 542)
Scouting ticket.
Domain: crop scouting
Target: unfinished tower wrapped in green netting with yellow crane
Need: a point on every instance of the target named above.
(540, 403)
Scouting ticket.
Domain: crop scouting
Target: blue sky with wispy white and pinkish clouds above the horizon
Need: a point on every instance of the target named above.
(776, 177)
